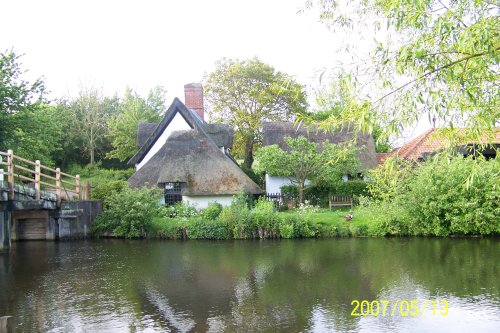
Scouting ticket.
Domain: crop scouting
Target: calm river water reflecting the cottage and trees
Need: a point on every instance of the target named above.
(288, 286)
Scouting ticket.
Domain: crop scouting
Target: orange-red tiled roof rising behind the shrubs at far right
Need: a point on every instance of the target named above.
(431, 141)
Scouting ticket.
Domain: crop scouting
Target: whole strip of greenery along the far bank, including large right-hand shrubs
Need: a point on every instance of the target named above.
(444, 196)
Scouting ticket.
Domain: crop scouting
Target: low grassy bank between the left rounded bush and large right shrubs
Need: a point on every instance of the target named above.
(320, 223)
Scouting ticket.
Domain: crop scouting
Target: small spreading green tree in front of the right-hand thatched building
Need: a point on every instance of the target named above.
(306, 160)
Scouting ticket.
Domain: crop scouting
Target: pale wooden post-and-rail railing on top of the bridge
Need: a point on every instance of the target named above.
(21, 171)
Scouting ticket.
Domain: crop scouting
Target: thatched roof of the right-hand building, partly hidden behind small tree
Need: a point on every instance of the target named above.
(275, 133)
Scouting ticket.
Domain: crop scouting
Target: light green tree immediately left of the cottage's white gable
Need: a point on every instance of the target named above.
(133, 110)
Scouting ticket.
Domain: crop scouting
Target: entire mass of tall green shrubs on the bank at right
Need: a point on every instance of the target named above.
(438, 198)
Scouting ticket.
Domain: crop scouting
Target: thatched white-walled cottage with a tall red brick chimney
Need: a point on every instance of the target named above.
(188, 158)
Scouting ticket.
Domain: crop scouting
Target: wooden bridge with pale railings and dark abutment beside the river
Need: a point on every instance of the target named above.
(42, 203)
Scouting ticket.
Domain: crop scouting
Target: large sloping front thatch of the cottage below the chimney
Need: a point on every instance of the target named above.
(191, 157)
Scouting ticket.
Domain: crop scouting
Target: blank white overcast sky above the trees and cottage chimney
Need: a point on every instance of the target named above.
(112, 44)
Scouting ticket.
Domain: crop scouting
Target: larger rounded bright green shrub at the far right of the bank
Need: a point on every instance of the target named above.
(455, 195)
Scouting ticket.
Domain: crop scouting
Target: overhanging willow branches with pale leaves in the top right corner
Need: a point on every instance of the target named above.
(444, 63)
